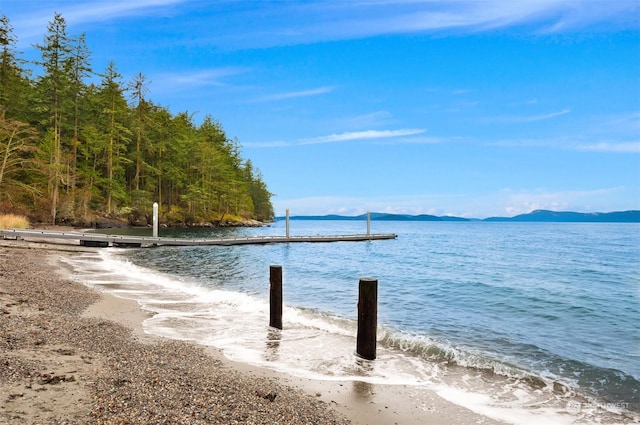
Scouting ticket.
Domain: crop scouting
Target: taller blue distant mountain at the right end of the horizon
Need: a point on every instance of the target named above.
(573, 217)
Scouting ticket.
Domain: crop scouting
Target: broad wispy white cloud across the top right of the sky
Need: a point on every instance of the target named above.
(329, 20)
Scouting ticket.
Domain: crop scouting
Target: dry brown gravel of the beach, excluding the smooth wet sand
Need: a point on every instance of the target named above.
(58, 367)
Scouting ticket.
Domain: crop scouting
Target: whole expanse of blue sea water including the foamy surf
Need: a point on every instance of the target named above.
(522, 322)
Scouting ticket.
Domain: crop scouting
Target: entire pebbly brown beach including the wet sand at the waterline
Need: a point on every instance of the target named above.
(70, 354)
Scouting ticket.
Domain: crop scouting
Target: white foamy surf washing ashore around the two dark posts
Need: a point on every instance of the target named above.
(312, 345)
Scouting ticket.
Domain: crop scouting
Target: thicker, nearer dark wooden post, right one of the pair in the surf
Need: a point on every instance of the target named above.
(367, 318)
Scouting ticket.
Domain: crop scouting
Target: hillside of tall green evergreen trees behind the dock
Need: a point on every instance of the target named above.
(78, 143)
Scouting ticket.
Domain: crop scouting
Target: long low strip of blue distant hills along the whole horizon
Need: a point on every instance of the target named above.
(547, 216)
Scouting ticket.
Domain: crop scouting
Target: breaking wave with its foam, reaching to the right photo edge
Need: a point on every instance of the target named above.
(319, 345)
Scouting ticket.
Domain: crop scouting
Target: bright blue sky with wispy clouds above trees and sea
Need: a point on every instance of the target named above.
(460, 107)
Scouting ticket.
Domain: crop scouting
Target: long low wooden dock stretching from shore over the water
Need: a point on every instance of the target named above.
(91, 239)
